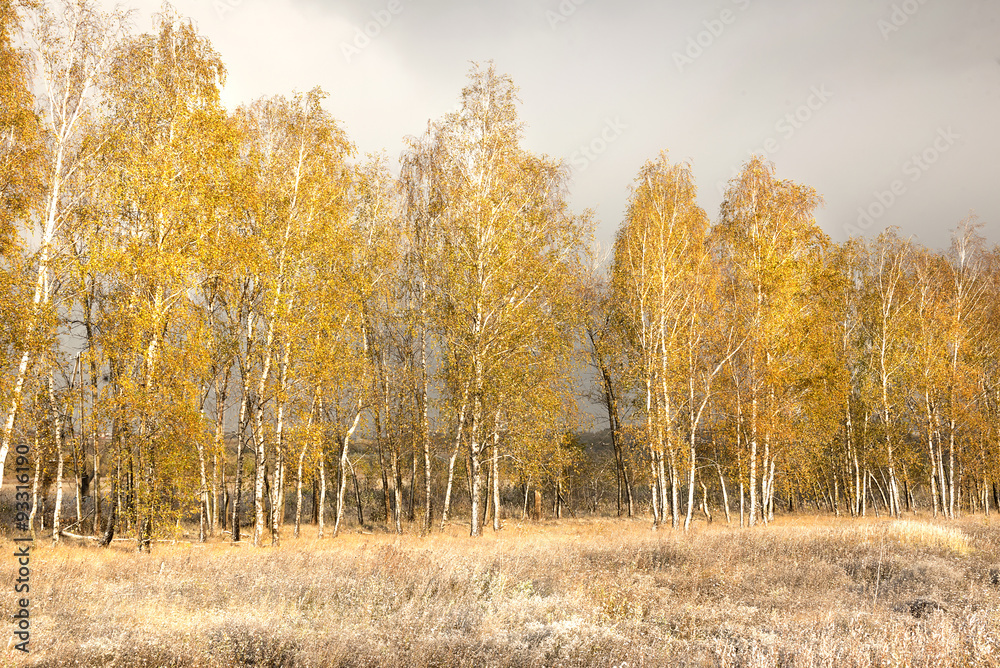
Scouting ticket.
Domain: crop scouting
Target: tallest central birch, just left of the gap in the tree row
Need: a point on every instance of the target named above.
(508, 243)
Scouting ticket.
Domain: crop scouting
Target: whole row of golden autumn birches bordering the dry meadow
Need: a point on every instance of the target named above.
(215, 315)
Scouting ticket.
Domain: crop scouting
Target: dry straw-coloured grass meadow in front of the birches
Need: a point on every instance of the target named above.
(804, 591)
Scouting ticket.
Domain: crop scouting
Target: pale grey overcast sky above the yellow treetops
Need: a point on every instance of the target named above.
(889, 109)
